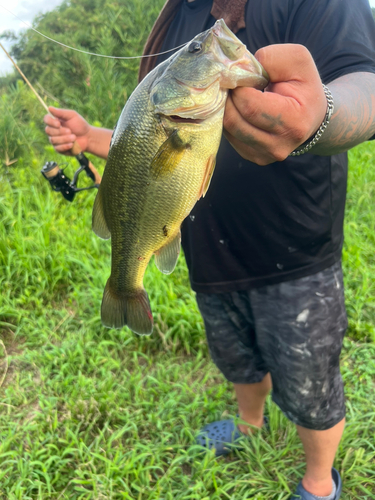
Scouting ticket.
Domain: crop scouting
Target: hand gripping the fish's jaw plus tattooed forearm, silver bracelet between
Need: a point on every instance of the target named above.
(266, 127)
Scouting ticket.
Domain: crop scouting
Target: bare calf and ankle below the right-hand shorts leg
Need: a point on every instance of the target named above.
(320, 449)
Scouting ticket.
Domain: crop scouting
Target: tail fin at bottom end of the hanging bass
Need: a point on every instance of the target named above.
(132, 310)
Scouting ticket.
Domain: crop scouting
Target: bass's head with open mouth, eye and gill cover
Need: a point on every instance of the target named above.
(194, 82)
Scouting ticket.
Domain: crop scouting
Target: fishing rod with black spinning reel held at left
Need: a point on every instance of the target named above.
(51, 171)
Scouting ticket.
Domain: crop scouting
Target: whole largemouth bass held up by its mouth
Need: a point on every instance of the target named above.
(161, 160)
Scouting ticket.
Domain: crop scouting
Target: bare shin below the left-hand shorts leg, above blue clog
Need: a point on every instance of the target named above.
(251, 399)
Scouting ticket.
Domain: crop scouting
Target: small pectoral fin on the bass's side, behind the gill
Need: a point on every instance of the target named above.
(169, 156)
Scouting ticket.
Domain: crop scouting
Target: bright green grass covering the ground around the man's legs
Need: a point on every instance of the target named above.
(89, 413)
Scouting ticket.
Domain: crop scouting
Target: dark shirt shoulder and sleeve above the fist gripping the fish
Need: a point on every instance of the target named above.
(340, 34)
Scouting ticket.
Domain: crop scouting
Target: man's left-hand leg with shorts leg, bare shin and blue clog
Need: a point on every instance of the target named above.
(231, 339)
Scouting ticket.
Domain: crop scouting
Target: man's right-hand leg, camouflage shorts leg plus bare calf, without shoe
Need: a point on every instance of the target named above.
(299, 329)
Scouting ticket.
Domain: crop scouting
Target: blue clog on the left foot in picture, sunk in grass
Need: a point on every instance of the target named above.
(222, 435)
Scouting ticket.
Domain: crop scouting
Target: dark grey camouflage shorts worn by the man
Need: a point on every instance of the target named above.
(294, 330)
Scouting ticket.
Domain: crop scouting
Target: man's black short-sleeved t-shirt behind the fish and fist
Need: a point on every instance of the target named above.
(263, 225)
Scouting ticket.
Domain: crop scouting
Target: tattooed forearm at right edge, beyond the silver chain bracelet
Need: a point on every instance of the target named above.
(353, 120)
